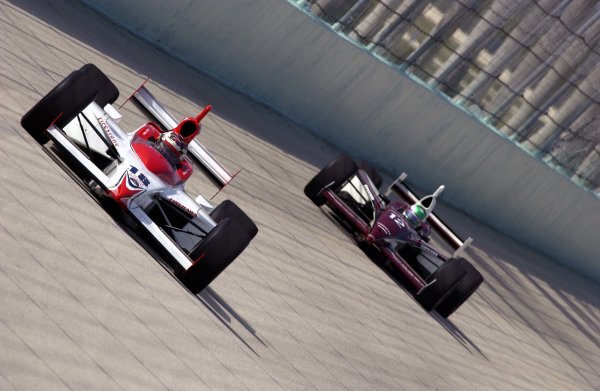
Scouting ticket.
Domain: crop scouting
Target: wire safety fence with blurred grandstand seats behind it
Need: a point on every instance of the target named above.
(528, 68)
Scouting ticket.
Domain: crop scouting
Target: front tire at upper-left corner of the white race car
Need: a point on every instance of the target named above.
(67, 99)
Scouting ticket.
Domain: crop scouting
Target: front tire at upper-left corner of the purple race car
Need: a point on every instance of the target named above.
(335, 173)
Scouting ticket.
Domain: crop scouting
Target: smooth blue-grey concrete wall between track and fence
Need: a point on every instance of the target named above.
(277, 54)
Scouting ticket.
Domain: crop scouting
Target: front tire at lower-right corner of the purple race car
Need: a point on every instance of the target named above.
(445, 279)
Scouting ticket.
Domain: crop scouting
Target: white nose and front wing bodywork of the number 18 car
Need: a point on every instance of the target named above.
(71, 139)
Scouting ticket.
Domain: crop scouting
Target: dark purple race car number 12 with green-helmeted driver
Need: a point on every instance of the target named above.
(398, 230)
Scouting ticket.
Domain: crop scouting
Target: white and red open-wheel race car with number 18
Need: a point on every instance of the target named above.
(143, 172)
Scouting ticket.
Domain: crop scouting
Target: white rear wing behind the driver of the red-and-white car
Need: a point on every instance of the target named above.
(214, 168)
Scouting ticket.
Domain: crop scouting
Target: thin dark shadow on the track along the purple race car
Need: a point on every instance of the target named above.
(381, 261)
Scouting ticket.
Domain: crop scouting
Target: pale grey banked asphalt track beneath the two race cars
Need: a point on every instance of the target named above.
(84, 306)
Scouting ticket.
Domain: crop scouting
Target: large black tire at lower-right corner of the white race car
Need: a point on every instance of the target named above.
(218, 249)
